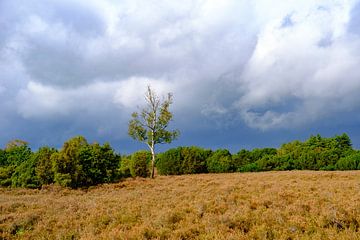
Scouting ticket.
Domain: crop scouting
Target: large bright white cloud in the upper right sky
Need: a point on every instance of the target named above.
(289, 64)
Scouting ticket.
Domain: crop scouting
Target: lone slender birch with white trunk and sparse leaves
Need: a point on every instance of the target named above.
(149, 126)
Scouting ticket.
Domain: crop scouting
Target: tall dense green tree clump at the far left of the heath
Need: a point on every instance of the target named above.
(77, 164)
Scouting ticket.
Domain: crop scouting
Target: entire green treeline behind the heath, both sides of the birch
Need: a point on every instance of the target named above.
(80, 164)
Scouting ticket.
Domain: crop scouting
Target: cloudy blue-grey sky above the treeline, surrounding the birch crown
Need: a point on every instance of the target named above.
(244, 74)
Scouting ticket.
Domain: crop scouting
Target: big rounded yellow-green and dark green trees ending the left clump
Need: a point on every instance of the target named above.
(82, 164)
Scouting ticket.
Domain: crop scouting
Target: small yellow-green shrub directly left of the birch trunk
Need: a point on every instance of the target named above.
(139, 164)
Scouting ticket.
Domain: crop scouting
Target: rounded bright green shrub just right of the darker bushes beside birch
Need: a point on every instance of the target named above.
(220, 161)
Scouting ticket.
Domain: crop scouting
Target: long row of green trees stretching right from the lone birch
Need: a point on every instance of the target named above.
(316, 153)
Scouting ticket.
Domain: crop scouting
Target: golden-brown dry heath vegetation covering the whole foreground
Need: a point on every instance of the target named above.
(271, 205)
